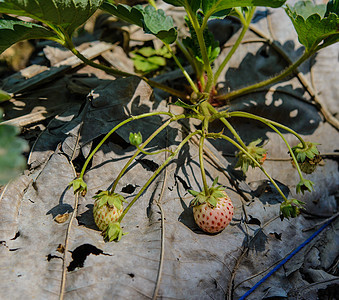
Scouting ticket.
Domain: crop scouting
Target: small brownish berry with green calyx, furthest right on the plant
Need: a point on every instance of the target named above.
(308, 158)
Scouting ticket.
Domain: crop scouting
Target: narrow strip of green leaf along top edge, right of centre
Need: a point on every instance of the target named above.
(212, 7)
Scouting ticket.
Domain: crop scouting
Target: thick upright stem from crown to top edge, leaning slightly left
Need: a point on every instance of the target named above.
(193, 18)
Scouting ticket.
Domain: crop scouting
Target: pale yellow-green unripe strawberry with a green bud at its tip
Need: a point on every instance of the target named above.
(106, 212)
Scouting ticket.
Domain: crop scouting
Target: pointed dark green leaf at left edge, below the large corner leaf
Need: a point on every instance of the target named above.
(13, 31)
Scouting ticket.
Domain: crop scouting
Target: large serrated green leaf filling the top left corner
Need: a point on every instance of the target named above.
(67, 14)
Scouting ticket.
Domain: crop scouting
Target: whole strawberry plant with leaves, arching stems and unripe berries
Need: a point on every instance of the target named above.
(316, 26)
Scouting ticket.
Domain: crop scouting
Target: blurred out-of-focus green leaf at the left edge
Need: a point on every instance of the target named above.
(11, 147)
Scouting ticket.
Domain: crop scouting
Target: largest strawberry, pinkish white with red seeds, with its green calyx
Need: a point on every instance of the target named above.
(214, 212)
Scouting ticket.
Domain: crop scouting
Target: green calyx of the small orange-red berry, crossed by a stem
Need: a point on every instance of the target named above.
(257, 152)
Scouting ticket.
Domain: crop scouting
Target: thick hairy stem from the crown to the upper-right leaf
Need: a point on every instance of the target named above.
(275, 79)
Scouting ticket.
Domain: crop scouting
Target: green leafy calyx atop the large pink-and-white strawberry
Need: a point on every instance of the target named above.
(211, 197)
